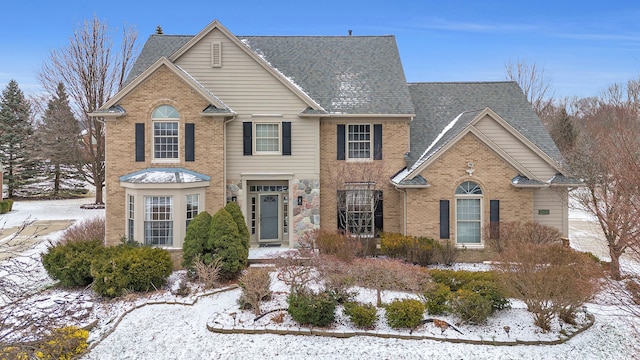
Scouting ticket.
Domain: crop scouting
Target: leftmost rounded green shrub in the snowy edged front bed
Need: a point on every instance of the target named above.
(309, 308)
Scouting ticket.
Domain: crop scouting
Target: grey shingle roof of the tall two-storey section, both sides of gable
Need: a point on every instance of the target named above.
(344, 74)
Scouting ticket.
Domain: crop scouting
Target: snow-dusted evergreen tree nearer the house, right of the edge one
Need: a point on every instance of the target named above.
(58, 137)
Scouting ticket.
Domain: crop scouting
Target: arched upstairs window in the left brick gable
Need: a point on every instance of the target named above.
(165, 132)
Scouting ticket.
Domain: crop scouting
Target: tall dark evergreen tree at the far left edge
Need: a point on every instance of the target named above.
(16, 138)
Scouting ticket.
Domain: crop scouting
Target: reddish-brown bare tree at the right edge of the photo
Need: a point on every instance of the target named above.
(606, 158)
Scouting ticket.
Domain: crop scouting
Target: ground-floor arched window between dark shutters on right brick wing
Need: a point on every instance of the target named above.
(468, 213)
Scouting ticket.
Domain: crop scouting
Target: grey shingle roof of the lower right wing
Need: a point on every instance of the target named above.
(438, 104)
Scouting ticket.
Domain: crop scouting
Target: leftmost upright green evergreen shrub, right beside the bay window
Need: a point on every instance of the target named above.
(196, 241)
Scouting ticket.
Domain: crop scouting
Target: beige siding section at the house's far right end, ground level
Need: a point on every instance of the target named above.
(554, 200)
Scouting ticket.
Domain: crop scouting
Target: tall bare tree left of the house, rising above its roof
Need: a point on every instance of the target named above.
(92, 70)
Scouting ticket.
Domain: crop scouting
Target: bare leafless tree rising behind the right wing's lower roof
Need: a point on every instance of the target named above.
(534, 83)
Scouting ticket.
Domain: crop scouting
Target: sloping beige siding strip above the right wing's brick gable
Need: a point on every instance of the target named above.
(515, 148)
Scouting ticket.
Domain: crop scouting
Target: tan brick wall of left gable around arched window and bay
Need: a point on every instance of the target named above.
(162, 87)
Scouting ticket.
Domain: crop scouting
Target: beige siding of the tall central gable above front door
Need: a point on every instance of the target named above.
(249, 89)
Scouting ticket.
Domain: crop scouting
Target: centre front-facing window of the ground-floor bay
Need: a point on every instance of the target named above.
(158, 220)
